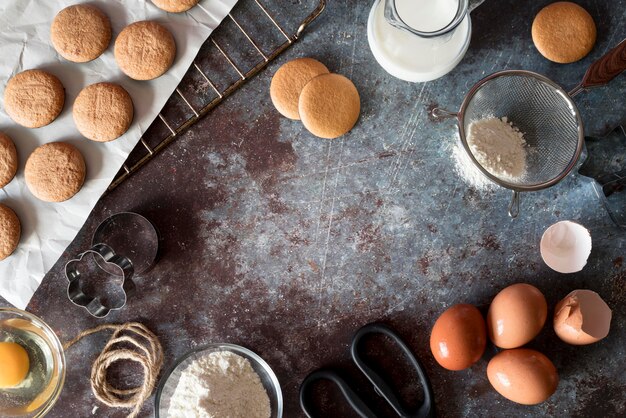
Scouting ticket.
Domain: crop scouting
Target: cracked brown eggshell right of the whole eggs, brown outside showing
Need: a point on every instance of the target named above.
(582, 317)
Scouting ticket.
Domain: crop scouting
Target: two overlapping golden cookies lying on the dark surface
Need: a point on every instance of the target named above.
(328, 104)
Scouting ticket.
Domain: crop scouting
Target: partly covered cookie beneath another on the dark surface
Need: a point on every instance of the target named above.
(289, 81)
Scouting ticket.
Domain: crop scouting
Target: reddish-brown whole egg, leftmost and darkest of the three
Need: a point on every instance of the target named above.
(458, 337)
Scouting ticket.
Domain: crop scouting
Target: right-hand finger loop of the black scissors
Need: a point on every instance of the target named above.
(426, 408)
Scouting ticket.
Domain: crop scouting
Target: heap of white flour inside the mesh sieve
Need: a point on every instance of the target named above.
(498, 146)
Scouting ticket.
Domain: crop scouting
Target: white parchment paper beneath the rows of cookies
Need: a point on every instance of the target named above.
(48, 228)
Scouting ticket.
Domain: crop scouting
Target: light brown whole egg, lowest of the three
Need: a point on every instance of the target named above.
(522, 375)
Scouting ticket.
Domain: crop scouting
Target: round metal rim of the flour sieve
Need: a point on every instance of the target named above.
(461, 116)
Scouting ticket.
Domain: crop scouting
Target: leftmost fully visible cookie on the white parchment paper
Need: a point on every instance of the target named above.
(34, 98)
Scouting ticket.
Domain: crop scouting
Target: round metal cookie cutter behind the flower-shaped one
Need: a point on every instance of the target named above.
(131, 235)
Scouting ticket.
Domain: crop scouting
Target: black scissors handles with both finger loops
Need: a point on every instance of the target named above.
(424, 410)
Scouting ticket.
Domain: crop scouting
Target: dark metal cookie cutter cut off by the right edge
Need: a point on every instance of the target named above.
(604, 163)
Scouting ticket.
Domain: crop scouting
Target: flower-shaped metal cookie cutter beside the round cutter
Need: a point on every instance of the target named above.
(103, 254)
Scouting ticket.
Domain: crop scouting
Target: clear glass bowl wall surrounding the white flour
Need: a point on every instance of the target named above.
(170, 379)
